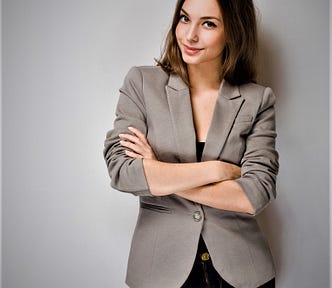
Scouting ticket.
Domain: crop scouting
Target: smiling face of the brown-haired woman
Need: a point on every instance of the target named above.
(200, 32)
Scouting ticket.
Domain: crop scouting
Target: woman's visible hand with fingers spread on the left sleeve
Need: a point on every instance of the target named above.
(138, 145)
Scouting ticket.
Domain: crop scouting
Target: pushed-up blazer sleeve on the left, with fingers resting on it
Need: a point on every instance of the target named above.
(127, 174)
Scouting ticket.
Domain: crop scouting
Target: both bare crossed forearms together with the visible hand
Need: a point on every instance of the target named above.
(202, 182)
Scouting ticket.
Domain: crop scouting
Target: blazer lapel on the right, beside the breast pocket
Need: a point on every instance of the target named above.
(227, 107)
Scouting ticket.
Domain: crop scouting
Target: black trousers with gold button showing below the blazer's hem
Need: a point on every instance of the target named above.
(203, 274)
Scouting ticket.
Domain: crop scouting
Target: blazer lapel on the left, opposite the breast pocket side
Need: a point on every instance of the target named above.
(178, 96)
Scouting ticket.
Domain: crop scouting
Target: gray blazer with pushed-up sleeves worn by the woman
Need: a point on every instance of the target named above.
(242, 132)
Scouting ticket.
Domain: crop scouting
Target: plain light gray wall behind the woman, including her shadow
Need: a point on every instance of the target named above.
(63, 62)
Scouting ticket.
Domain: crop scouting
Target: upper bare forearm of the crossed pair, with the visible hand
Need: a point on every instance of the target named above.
(168, 178)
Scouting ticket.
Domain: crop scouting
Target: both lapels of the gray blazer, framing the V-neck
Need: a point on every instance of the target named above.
(226, 109)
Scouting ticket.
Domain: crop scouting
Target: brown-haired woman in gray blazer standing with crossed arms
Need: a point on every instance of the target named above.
(194, 138)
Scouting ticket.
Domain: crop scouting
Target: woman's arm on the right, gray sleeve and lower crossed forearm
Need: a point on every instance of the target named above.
(256, 187)
